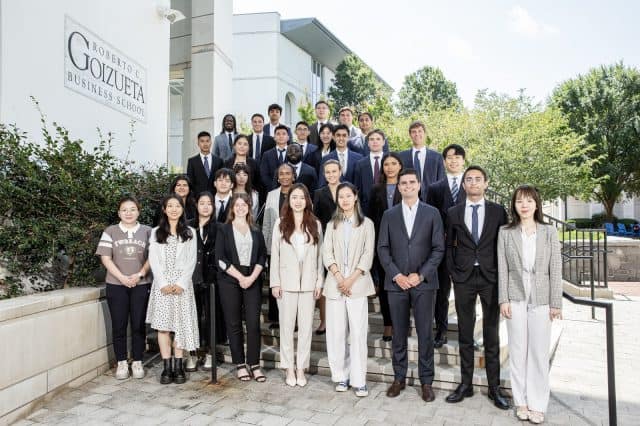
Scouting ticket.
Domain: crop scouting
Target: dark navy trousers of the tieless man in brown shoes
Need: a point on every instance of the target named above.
(400, 304)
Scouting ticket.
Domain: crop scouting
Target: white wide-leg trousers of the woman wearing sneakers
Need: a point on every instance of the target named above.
(347, 323)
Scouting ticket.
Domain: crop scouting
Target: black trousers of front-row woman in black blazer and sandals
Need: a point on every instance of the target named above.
(237, 301)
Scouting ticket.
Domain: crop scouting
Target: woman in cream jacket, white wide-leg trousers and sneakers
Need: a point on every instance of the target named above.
(348, 251)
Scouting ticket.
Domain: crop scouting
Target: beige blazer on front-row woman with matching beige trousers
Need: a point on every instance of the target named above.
(284, 269)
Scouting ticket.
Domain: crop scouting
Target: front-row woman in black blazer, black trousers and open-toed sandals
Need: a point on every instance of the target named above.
(241, 255)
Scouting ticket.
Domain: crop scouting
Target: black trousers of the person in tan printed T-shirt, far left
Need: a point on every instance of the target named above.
(128, 304)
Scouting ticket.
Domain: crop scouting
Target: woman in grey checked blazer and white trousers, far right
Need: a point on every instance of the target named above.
(530, 296)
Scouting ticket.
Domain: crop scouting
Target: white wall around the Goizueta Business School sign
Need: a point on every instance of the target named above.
(32, 55)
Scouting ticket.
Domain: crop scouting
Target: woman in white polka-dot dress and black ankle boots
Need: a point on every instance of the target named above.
(173, 252)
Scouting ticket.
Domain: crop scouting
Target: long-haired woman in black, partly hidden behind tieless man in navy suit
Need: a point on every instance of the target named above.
(384, 195)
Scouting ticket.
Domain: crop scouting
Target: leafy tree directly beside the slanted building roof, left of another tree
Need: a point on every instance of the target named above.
(356, 85)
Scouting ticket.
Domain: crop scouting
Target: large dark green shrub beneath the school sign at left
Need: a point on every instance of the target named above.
(55, 200)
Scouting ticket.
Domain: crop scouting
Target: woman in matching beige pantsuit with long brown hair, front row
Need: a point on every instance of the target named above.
(296, 276)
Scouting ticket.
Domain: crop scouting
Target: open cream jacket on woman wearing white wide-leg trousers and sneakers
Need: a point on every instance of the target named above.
(361, 252)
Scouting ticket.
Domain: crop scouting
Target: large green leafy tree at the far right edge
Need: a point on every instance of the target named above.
(604, 106)
